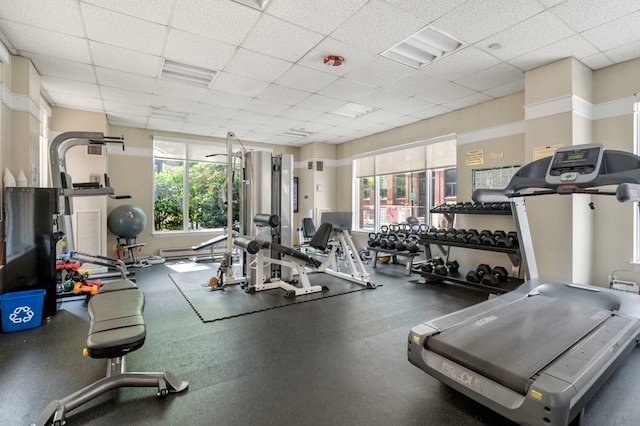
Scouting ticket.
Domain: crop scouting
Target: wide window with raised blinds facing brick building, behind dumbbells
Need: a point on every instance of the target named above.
(406, 171)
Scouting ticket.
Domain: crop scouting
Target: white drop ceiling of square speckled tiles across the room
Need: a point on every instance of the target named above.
(268, 81)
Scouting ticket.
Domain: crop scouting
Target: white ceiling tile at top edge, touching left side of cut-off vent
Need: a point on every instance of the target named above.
(220, 20)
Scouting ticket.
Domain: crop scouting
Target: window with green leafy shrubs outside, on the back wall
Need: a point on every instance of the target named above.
(190, 186)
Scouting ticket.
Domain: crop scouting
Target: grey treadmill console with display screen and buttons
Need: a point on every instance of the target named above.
(575, 164)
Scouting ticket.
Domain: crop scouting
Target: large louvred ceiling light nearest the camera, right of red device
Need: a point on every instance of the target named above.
(423, 47)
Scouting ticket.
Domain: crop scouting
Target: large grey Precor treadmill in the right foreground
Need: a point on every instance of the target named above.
(538, 354)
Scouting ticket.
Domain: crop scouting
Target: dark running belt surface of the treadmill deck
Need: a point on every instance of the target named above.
(510, 345)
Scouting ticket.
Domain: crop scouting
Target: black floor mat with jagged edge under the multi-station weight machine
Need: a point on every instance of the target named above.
(233, 301)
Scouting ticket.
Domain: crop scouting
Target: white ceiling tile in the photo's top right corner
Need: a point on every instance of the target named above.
(582, 15)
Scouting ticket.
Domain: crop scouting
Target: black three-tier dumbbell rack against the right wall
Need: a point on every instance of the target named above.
(513, 253)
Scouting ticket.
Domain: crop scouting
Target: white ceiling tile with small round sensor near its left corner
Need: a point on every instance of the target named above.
(541, 30)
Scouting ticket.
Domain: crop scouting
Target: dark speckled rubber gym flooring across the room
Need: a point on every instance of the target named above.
(335, 361)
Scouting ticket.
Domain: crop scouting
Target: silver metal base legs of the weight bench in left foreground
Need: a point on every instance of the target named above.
(56, 411)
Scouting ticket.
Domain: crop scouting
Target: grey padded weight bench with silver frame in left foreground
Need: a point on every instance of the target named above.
(117, 328)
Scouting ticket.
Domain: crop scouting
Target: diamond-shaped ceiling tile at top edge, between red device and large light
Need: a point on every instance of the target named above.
(377, 26)
